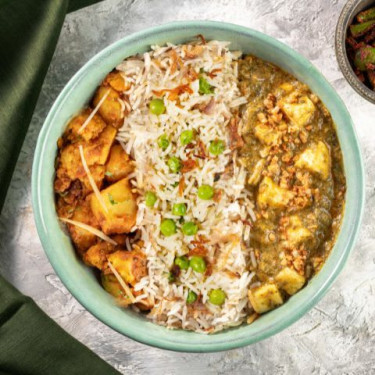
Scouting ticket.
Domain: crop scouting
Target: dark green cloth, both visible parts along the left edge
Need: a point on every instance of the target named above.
(30, 342)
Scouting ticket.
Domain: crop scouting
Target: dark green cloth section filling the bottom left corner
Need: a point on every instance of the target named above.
(32, 343)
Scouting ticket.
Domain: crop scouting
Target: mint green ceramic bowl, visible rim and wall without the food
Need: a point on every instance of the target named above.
(81, 281)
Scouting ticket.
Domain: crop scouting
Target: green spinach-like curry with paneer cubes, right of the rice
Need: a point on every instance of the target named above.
(296, 175)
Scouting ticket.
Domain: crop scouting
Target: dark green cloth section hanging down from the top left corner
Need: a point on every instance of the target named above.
(29, 30)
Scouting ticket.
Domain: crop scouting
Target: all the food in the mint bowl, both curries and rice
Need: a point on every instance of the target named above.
(204, 186)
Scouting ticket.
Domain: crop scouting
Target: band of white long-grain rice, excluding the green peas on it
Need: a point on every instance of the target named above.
(223, 221)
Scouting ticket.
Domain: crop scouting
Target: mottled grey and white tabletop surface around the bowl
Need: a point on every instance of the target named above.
(338, 335)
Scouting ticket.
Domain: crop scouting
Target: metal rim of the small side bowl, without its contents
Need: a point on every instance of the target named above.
(350, 10)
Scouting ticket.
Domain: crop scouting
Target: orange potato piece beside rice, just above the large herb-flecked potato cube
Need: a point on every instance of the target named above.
(119, 164)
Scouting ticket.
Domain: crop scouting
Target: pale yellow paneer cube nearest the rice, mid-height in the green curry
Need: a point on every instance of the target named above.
(272, 195)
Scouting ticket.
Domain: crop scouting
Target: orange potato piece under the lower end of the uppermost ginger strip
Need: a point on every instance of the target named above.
(92, 129)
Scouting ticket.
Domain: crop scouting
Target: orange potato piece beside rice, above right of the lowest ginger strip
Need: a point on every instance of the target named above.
(131, 265)
